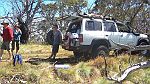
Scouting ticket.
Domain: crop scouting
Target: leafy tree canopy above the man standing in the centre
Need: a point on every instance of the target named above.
(57, 11)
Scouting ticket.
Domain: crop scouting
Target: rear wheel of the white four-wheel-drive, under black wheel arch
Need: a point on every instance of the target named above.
(100, 51)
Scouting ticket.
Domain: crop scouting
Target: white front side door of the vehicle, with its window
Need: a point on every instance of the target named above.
(126, 36)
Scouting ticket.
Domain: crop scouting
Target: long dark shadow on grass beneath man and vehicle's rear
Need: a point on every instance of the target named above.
(69, 60)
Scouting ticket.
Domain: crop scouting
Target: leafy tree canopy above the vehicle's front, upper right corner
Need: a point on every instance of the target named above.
(134, 11)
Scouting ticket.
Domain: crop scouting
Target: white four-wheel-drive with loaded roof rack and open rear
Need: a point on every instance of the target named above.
(95, 36)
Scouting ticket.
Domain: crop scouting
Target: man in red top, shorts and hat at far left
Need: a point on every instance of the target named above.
(7, 38)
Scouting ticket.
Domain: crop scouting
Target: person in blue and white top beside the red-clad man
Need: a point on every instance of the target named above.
(16, 41)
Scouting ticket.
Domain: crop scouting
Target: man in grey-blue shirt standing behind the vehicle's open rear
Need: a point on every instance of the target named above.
(57, 39)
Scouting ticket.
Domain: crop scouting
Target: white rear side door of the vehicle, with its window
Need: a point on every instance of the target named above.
(111, 33)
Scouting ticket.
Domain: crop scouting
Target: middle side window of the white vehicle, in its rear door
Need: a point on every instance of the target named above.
(109, 26)
